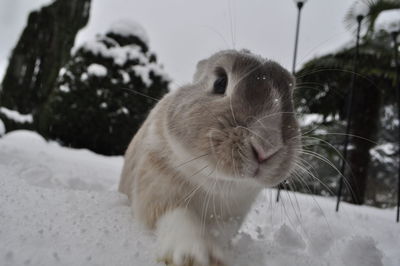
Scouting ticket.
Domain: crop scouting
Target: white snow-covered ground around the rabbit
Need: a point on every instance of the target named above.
(60, 206)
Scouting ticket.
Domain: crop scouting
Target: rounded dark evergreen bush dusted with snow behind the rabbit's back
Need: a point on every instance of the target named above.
(106, 90)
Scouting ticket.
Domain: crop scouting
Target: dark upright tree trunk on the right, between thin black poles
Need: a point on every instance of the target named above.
(365, 121)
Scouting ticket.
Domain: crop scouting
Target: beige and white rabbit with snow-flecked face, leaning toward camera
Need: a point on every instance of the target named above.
(207, 149)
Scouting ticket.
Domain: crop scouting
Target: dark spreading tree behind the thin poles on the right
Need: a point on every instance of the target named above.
(329, 77)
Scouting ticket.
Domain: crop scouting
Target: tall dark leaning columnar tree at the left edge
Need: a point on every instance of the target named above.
(43, 48)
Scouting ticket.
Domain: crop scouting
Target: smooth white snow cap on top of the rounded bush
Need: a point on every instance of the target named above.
(128, 28)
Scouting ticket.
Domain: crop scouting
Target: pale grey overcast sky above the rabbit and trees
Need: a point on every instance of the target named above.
(184, 31)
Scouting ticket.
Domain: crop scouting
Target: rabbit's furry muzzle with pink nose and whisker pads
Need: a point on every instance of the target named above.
(261, 157)
